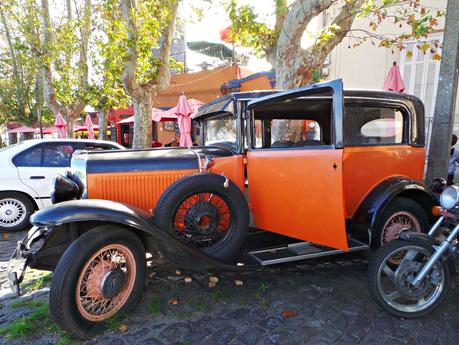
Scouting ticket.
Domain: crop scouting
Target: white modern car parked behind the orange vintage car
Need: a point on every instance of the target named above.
(26, 172)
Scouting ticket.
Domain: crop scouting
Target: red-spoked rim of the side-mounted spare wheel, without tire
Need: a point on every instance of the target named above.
(202, 219)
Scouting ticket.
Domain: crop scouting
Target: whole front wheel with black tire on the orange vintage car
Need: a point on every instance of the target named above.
(86, 273)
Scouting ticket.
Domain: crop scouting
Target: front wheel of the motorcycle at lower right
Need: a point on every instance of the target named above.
(394, 266)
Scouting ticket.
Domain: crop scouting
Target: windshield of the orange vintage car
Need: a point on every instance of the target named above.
(221, 130)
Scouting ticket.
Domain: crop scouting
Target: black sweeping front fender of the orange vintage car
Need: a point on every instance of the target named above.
(76, 212)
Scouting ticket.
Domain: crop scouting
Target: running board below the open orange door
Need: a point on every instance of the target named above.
(301, 251)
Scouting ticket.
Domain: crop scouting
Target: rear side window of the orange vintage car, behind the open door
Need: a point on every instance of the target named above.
(368, 125)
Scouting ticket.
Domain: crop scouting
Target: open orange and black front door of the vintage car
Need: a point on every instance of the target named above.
(294, 164)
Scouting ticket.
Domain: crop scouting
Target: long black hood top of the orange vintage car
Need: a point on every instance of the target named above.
(147, 159)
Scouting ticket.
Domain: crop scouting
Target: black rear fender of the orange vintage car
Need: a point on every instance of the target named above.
(367, 215)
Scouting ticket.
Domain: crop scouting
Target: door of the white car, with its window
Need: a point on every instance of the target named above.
(38, 165)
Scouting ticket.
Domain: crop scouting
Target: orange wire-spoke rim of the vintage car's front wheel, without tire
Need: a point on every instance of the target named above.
(106, 282)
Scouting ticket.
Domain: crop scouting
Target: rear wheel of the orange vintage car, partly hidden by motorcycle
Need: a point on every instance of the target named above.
(402, 214)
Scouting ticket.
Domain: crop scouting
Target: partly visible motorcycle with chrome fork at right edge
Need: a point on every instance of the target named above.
(410, 276)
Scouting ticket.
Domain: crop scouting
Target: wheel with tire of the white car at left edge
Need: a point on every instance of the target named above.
(15, 211)
